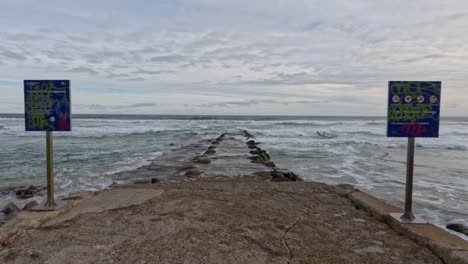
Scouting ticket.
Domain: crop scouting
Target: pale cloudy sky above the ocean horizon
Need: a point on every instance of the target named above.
(278, 57)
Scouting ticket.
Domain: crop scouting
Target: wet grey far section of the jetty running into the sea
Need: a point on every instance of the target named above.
(231, 159)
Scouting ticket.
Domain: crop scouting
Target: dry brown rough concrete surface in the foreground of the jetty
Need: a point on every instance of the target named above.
(222, 221)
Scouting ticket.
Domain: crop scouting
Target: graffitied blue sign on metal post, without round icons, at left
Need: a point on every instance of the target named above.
(47, 108)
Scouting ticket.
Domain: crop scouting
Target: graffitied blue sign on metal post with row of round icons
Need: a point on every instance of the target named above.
(413, 111)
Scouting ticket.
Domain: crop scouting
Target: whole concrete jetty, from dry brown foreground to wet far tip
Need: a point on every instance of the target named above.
(223, 201)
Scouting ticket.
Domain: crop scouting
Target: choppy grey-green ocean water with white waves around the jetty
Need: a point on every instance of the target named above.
(333, 150)
